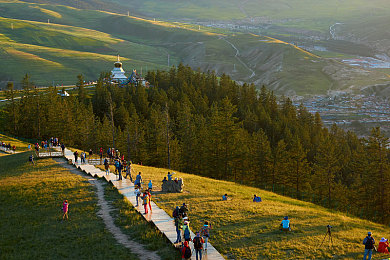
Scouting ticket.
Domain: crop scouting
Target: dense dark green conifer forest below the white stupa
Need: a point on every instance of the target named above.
(211, 126)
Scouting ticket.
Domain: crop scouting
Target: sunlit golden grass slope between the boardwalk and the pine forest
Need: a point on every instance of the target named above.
(246, 230)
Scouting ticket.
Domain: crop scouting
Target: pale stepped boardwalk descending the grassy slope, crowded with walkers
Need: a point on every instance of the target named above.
(158, 216)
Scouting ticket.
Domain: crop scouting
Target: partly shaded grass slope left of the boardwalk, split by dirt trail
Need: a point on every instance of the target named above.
(31, 227)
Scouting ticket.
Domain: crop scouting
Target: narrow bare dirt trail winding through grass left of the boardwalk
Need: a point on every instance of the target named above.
(104, 213)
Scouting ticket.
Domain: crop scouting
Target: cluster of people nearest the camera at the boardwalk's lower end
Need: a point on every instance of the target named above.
(182, 225)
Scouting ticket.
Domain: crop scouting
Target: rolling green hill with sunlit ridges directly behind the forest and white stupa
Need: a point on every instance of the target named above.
(87, 41)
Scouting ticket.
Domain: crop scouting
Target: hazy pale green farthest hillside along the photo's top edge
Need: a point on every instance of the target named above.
(308, 14)
